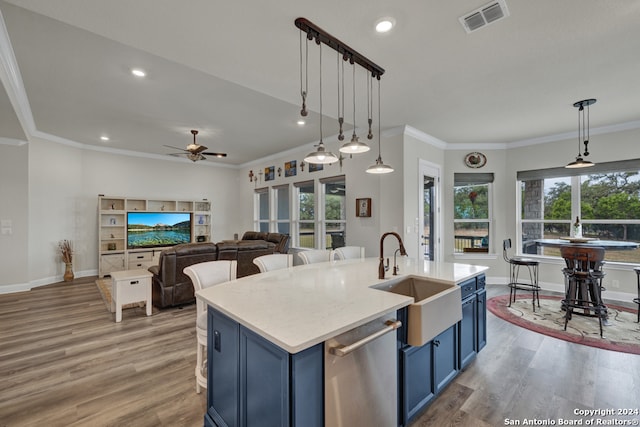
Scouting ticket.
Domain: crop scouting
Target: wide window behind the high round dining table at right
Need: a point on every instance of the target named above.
(605, 197)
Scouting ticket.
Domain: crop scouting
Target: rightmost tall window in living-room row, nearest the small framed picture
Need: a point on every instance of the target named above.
(335, 216)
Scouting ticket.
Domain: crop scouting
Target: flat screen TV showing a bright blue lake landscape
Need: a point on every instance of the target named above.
(155, 229)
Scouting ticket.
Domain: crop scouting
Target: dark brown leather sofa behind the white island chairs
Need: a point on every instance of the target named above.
(171, 287)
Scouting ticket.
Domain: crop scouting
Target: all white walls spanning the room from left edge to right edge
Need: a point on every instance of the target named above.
(50, 192)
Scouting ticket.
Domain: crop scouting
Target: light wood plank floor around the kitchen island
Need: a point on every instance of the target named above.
(65, 362)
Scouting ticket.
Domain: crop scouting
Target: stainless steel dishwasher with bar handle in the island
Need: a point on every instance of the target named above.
(361, 376)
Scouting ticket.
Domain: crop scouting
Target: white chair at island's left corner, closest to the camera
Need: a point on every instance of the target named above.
(204, 275)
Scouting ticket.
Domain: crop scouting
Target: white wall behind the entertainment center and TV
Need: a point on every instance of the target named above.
(63, 187)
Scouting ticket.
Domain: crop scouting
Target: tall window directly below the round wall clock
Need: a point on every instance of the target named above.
(472, 211)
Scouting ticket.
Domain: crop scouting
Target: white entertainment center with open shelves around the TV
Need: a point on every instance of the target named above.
(114, 252)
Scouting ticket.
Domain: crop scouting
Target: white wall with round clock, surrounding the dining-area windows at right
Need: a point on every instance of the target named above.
(505, 164)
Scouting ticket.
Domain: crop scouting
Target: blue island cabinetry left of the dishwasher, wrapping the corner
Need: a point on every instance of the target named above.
(253, 382)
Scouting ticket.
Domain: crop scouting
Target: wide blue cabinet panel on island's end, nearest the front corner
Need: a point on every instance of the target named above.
(264, 375)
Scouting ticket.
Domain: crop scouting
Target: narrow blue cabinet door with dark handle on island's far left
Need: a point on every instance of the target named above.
(223, 373)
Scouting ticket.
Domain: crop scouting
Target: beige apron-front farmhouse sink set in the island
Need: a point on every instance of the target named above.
(436, 306)
